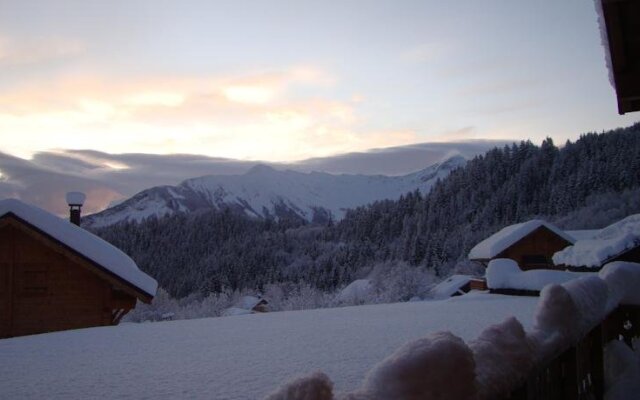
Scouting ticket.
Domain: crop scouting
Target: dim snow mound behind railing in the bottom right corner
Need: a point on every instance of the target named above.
(622, 372)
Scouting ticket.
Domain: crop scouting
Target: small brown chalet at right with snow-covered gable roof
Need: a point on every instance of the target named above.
(531, 244)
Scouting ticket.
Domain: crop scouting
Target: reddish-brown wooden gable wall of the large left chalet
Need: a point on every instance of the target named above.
(45, 286)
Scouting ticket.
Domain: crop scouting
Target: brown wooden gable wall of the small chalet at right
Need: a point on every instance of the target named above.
(540, 244)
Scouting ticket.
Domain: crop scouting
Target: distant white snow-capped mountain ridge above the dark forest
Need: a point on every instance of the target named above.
(265, 192)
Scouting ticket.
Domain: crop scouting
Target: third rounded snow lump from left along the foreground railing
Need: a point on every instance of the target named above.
(504, 356)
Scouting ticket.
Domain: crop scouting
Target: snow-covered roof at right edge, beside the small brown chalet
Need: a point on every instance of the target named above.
(606, 244)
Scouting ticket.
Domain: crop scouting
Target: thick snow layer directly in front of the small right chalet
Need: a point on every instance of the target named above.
(504, 273)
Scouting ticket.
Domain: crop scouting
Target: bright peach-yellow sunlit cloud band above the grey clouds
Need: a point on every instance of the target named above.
(282, 115)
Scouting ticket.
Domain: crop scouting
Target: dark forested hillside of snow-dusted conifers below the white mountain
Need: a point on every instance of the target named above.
(586, 184)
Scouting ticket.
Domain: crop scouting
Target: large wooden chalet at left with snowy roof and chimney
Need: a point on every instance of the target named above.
(55, 275)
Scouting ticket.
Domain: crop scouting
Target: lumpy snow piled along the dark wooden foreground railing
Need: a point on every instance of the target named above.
(504, 356)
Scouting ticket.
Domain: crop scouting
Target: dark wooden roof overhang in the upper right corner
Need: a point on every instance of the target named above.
(622, 19)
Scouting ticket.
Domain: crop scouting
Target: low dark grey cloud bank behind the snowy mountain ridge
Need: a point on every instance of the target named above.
(106, 178)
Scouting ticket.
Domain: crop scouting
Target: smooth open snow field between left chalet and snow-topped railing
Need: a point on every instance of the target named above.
(241, 357)
